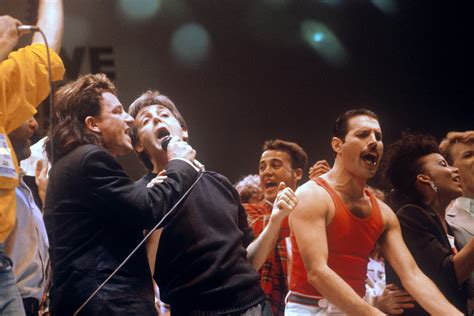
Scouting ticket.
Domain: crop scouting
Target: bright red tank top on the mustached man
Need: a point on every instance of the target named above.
(350, 242)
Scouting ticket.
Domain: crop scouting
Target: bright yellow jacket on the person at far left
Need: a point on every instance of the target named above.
(23, 85)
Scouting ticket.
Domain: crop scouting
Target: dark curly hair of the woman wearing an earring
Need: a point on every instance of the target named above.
(402, 165)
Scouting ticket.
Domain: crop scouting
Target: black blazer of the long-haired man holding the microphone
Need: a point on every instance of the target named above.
(95, 215)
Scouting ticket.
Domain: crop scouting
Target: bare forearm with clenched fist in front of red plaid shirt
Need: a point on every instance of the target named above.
(259, 250)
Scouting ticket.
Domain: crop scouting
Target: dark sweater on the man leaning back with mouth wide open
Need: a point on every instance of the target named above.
(201, 265)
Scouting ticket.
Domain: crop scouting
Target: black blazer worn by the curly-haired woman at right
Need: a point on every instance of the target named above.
(424, 236)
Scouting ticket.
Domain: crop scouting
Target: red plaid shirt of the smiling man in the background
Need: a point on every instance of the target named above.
(274, 272)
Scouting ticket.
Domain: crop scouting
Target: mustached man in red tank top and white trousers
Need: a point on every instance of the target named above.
(336, 225)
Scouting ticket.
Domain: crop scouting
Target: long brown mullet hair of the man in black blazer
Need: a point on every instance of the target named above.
(72, 103)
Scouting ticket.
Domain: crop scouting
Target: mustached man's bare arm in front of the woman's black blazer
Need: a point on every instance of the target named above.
(414, 281)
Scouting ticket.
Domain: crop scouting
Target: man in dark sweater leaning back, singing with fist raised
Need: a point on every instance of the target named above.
(207, 255)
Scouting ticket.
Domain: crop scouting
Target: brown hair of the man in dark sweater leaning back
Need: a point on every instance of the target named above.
(149, 98)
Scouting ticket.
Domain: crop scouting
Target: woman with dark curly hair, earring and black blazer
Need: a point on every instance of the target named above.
(425, 184)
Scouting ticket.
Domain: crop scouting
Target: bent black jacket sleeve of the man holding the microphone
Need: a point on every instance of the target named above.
(124, 201)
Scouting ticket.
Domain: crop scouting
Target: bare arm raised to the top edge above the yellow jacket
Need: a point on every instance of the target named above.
(51, 22)
